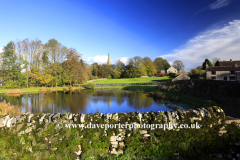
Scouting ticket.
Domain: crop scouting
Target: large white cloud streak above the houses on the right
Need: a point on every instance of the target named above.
(222, 43)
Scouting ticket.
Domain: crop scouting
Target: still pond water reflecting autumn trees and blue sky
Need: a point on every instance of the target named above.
(89, 102)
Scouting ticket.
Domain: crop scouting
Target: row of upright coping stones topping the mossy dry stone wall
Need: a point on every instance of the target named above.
(177, 117)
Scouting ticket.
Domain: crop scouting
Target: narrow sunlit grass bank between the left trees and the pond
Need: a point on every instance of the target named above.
(36, 89)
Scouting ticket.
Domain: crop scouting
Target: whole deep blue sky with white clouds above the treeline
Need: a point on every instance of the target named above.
(186, 30)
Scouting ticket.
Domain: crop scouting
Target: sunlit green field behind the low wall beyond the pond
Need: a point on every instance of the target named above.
(135, 80)
